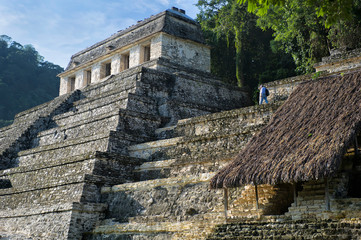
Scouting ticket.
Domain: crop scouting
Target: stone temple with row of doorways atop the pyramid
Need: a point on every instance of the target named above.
(166, 41)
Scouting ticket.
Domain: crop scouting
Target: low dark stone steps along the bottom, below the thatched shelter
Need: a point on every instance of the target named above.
(306, 229)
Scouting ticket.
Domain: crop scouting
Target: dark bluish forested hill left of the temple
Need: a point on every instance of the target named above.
(26, 80)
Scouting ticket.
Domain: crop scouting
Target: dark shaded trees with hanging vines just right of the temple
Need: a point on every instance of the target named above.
(242, 53)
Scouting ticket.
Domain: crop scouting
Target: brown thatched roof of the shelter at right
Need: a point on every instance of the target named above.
(306, 137)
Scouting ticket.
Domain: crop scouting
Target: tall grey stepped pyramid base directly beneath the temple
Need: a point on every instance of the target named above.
(58, 156)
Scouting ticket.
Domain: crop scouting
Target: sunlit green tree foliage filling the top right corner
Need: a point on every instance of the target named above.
(308, 30)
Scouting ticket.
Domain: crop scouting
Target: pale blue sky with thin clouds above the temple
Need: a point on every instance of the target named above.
(59, 28)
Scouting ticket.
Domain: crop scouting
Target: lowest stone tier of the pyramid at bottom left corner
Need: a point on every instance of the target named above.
(30, 217)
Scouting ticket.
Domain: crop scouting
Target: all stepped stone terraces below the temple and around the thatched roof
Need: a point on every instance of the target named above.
(127, 158)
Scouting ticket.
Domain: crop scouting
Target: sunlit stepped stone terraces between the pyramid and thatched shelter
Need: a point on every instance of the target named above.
(170, 198)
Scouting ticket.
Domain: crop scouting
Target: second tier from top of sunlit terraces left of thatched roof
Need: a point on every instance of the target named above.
(195, 149)
